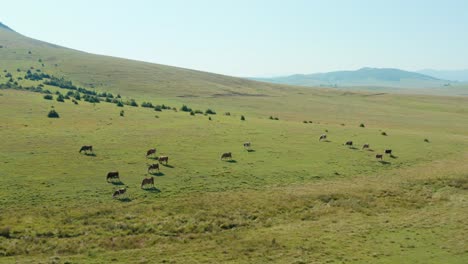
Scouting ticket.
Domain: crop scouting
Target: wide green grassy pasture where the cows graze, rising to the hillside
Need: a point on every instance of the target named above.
(291, 200)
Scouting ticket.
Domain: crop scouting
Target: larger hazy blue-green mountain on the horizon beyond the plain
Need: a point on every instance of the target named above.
(380, 77)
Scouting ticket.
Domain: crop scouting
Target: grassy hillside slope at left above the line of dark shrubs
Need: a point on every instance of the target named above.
(115, 74)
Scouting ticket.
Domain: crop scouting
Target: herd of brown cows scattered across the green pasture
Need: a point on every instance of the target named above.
(114, 175)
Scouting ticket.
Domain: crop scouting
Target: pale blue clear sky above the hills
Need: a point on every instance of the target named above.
(255, 37)
